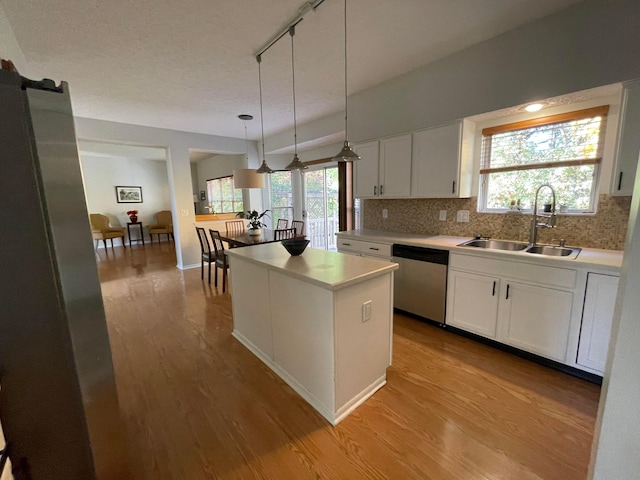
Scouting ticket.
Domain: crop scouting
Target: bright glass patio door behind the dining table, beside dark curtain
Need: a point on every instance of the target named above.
(321, 206)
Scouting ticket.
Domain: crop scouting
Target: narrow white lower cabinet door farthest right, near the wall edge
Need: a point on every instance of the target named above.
(597, 317)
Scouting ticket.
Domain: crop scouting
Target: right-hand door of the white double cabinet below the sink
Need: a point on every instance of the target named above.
(536, 319)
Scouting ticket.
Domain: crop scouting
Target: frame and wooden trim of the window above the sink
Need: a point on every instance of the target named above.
(486, 169)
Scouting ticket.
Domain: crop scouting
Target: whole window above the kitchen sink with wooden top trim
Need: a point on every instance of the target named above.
(564, 151)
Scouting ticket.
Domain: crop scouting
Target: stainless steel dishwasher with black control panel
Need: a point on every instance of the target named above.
(420, 284)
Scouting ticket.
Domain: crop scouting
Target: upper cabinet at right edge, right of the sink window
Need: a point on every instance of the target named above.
(628, 140)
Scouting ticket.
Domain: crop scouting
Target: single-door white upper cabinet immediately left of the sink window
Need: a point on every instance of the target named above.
(442, 164)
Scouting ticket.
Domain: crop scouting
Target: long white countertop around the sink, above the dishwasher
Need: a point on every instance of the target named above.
(602, 260)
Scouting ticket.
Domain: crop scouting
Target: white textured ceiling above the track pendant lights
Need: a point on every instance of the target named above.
(191, 65)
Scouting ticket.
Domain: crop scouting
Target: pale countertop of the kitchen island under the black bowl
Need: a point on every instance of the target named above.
(330, 270)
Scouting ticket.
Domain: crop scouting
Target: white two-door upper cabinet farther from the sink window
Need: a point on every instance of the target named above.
(384, 171)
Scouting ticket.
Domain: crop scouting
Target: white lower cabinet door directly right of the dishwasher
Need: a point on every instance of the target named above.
(472, 302)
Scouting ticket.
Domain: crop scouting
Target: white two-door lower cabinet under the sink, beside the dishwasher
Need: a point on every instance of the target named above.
(526, 306)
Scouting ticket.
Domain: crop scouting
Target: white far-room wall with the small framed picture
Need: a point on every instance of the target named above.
(101, 175)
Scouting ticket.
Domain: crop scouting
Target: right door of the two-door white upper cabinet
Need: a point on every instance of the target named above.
(395, 166)
